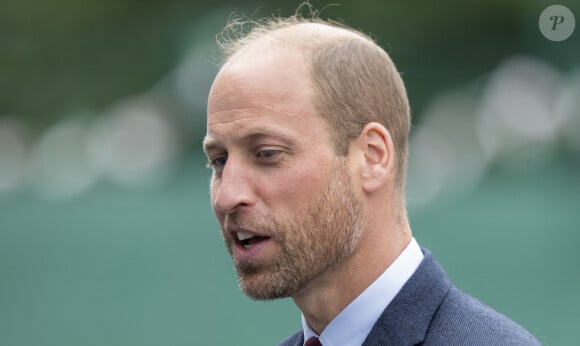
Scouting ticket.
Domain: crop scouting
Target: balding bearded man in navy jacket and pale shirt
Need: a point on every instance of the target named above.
(307, 137)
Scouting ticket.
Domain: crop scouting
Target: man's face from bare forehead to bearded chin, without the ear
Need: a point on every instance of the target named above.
(283, 198)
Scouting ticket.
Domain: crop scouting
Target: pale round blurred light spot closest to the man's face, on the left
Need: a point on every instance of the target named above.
(135, 142)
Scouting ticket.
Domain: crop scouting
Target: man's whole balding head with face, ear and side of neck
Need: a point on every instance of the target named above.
(307, 137)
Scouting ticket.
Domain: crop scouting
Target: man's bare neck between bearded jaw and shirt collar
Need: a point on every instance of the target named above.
(327, 295)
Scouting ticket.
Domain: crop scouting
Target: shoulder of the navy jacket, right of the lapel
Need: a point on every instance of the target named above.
(462, 319)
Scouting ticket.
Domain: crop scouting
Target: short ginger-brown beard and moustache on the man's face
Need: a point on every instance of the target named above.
(306, 248)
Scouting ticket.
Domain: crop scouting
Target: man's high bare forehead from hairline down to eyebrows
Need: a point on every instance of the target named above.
(262, 90)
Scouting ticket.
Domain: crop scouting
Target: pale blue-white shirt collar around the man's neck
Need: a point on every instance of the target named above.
(352, 325)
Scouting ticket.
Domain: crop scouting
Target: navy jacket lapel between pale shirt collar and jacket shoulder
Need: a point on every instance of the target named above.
(406, 319)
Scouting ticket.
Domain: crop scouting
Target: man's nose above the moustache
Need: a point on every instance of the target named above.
(233, 189)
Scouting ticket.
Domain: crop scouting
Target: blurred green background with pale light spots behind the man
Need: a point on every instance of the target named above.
(106, 232)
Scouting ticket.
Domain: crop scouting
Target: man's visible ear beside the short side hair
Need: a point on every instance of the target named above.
(377, 156)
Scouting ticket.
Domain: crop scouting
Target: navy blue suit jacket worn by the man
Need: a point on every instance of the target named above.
(429, 310)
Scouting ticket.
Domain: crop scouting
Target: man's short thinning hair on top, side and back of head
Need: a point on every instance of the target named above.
(355, 81)
